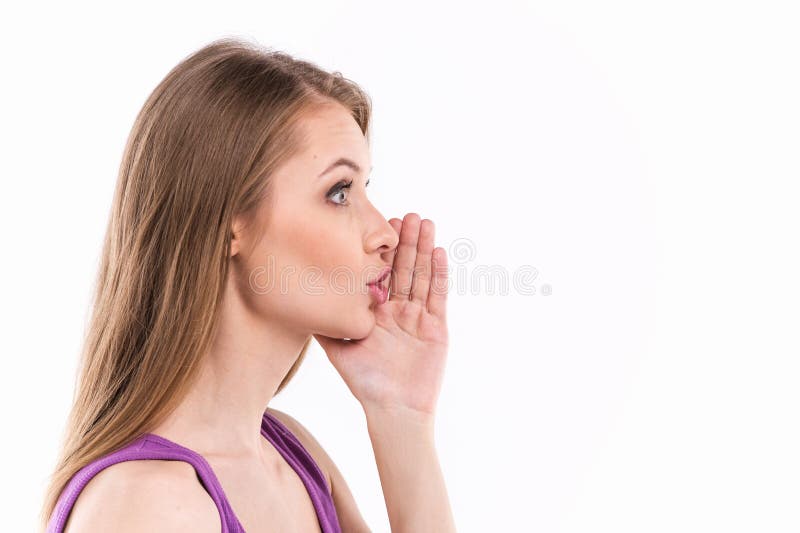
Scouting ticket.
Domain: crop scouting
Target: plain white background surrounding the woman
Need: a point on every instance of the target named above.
(641, 156)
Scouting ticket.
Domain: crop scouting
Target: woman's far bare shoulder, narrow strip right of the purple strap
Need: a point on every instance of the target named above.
(347, 510)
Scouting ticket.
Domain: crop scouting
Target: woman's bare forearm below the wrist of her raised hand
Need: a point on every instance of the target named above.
(408, 465)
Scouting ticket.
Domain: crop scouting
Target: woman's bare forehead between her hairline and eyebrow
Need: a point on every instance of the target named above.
(330, 133)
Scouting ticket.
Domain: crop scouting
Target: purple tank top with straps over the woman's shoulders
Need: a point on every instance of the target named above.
(151, 446)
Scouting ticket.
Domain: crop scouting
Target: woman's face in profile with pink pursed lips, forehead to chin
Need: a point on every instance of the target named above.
(318, 243)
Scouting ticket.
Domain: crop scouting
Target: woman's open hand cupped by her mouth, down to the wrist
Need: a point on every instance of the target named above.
(400, 364)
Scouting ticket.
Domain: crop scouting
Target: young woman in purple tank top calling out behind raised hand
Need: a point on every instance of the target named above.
(240, 229)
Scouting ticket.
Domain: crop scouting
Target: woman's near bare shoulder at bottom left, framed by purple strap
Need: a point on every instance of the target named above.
(144, 495)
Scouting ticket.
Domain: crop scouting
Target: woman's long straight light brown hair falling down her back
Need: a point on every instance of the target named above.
(201, 151)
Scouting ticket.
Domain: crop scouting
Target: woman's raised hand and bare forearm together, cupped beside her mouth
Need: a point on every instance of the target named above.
(396, 373)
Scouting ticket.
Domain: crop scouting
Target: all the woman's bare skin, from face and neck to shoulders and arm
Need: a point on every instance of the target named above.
(393, 363)
